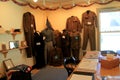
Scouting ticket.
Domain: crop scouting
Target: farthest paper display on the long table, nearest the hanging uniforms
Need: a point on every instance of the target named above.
(92, 54)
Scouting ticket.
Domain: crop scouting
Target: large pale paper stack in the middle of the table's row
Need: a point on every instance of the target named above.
(88, 65)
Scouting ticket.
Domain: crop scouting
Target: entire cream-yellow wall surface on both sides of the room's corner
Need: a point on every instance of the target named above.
(11, 17)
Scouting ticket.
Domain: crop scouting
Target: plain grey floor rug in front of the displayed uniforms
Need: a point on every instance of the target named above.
(50, 73)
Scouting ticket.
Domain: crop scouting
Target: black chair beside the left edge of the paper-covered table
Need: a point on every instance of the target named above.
(70, 64)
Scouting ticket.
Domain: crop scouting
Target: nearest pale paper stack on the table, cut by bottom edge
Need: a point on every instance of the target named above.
(81, 77)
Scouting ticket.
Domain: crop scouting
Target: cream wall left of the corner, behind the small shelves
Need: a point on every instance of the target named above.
(11, 17)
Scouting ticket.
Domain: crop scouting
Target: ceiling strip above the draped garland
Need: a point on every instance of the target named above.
(56, 4)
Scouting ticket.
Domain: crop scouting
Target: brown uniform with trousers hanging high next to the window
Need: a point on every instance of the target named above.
(89, 22)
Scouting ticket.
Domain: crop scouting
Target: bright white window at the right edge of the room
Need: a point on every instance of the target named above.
(109, 20)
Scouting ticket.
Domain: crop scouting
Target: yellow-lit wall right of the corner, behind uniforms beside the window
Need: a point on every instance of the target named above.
(60, 16)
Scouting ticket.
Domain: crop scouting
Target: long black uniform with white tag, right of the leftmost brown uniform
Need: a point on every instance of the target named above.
(39, 50)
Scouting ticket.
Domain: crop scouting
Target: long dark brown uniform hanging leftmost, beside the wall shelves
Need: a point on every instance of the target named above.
(29, 28)
